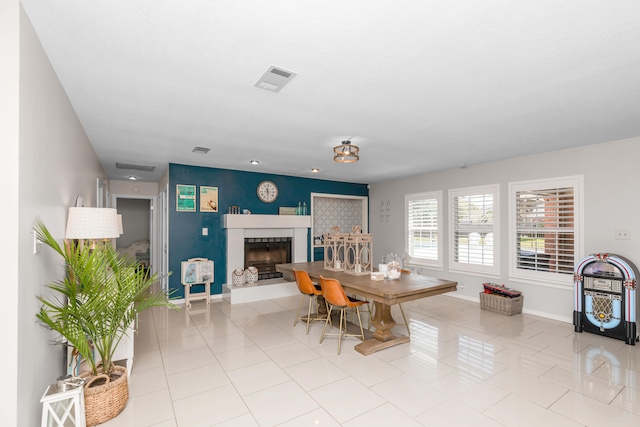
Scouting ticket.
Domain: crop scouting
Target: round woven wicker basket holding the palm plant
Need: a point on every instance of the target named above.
(104, 402)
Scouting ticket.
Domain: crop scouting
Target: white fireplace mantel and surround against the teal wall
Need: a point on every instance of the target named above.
(239, 227)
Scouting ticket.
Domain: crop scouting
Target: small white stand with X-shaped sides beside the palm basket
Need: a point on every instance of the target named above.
(63, 403)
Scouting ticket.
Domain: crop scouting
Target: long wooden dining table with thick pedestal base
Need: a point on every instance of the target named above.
(383, 293)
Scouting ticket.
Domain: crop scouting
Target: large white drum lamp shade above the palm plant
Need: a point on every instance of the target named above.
(92, 223)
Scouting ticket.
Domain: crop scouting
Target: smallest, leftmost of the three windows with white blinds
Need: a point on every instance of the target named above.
(423, 243)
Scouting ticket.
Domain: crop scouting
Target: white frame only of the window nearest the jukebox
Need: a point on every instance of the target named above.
(552, 279)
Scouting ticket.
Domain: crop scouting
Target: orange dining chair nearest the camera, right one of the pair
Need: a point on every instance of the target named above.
(336, 298)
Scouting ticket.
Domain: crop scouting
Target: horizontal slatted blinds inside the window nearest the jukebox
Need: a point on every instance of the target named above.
(545, 230)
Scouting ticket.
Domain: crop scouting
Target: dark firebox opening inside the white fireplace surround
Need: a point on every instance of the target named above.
(265, 252)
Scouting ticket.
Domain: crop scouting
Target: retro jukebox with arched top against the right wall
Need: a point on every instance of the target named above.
(605, 299)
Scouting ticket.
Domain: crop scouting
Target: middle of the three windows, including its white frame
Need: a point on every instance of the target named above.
(474, 229)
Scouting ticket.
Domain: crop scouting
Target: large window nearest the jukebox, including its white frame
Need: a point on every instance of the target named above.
(545, 229)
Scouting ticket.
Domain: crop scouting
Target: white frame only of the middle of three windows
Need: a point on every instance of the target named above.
(467, 268)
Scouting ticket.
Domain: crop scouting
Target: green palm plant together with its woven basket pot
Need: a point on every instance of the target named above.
(93, 305)
